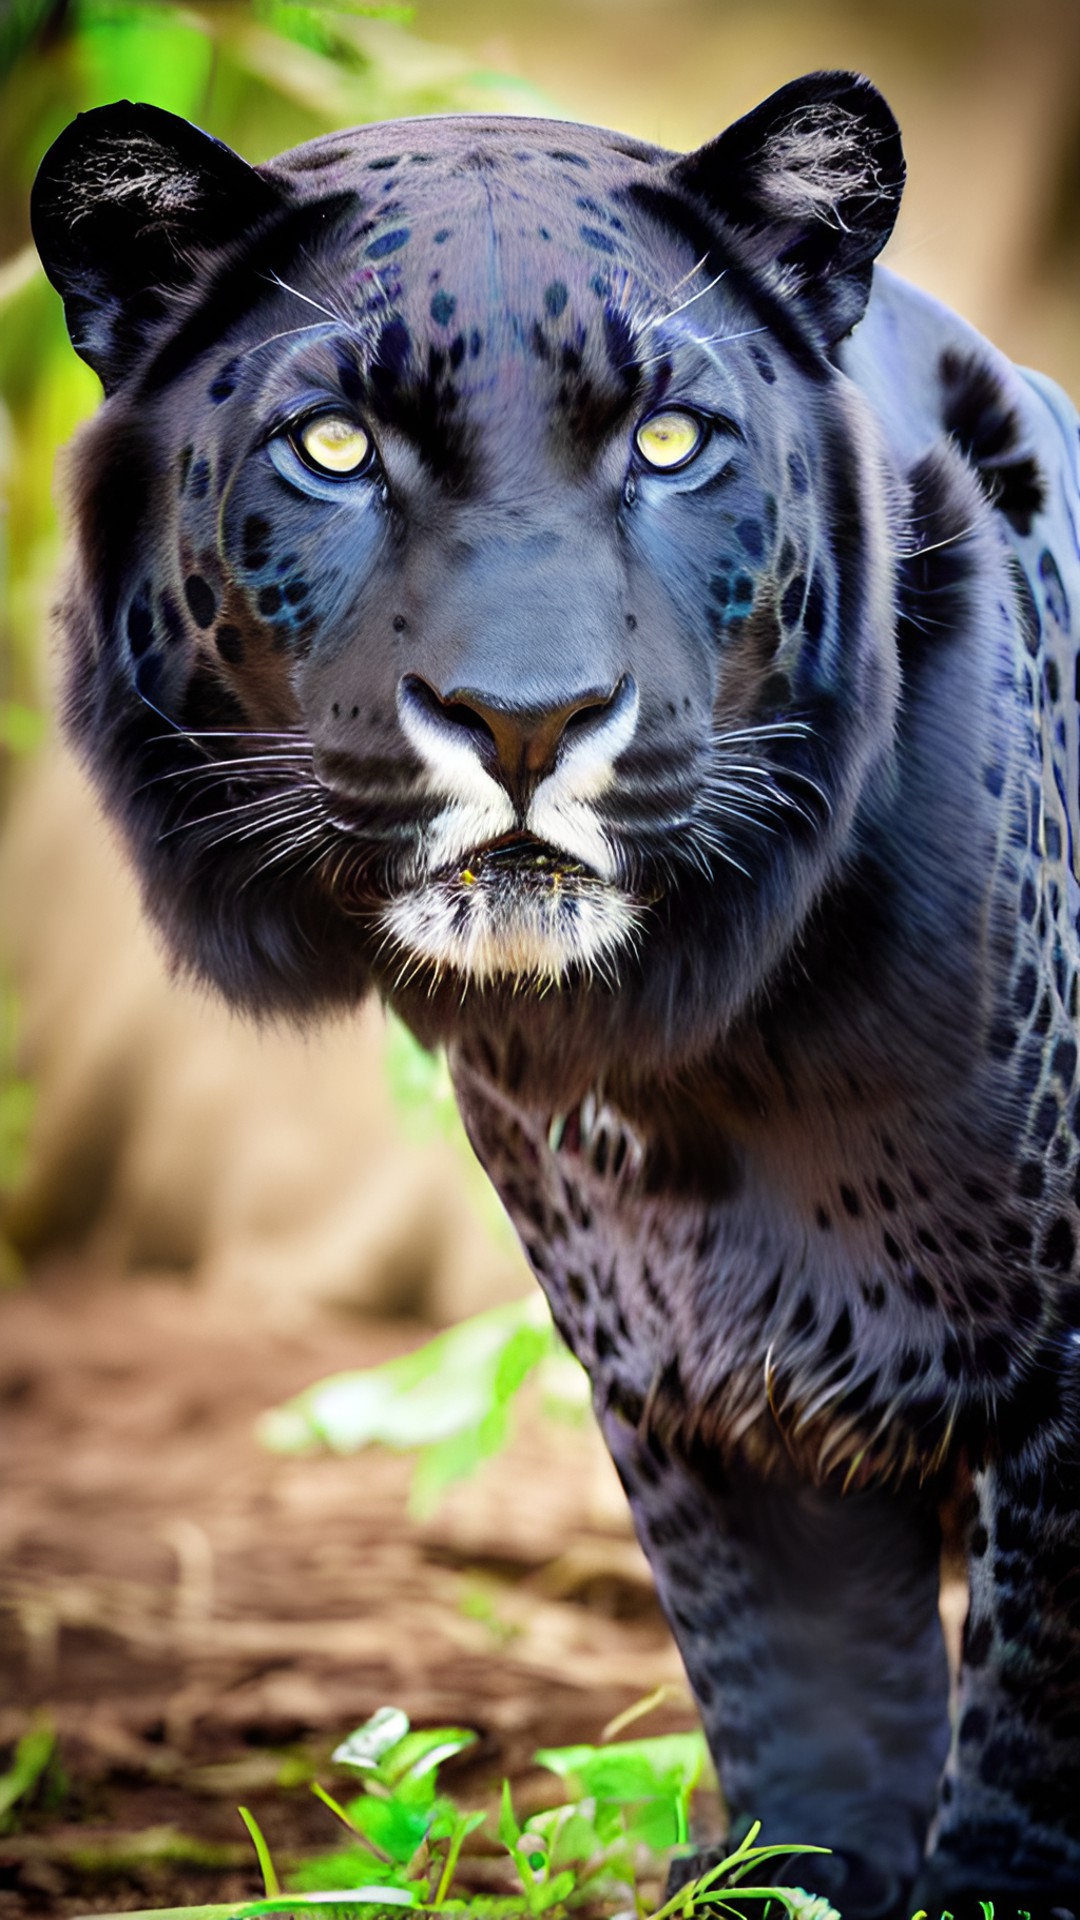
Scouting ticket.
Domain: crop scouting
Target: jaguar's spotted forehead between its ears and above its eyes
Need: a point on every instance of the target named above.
(483, 270)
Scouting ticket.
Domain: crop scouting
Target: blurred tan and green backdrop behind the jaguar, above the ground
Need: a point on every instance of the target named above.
(141, 1128)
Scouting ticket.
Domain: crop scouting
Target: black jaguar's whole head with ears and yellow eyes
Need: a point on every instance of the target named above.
(483, 571)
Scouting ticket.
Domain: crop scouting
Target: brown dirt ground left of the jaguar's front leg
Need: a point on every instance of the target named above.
(203, 1621)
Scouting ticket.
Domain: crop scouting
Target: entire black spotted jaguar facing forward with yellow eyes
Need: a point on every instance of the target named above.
(570, 590)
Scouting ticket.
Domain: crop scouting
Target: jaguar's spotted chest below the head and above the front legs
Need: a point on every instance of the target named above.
(856, 1312)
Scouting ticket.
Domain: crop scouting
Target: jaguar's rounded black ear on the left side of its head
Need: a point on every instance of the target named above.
(124, 206)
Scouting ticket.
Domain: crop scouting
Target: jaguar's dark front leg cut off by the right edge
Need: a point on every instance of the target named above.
(1010, 1813)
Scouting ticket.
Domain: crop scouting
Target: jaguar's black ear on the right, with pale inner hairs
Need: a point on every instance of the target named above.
(812, 180)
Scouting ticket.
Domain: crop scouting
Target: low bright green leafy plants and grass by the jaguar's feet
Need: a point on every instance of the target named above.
(597, 1854)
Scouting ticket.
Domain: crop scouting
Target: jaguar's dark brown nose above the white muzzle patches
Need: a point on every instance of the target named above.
(520, 746)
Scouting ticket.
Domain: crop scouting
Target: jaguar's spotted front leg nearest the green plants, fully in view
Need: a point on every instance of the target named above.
(810, 1631)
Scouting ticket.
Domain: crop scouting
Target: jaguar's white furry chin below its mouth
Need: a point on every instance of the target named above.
(518, 913)
